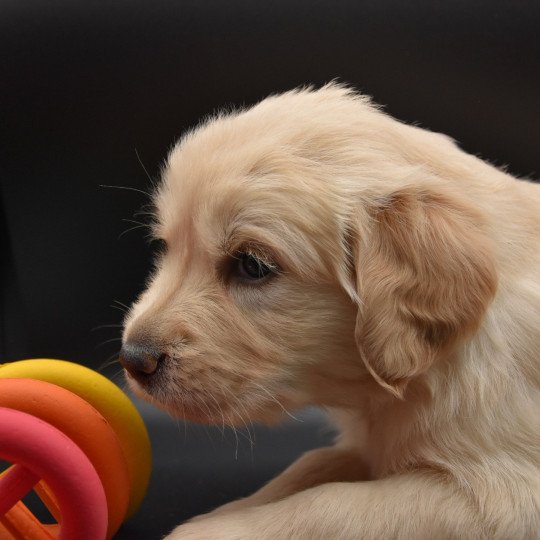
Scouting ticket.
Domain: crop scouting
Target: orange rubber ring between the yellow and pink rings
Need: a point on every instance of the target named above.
(85, 426)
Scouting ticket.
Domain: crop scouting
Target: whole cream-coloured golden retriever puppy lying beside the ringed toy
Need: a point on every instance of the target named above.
(320, 252)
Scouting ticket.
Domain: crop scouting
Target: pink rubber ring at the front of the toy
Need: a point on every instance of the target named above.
(52, 456)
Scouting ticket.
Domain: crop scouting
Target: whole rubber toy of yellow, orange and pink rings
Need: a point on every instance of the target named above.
(77, 440)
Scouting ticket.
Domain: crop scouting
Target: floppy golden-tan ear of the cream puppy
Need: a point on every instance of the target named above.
(424, 276)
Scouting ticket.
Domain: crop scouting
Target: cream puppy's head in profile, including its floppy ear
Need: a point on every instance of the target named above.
(294, 270)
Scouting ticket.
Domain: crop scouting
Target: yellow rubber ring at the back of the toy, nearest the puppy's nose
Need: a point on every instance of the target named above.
(109, 401)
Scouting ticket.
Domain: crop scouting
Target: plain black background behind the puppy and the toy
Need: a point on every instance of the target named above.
(85, 86)
